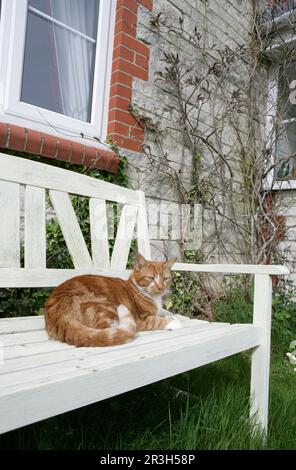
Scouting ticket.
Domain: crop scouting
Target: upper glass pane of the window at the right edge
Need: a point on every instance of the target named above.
(287, 105)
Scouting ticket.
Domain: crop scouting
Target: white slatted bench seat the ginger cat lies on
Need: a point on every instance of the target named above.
(41, 377)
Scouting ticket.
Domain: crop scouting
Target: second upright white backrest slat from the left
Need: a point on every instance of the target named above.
(35, 233)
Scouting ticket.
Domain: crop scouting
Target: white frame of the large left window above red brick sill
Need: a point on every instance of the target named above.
(12, 47)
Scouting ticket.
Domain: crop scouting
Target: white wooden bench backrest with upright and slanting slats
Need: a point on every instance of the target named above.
(38, 180)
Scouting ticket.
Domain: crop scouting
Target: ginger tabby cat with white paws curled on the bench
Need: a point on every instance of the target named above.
(94, 310)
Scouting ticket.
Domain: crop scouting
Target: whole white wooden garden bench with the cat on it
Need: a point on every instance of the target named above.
(40, 377)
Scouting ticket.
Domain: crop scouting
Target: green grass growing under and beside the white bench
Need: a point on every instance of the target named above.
(206, 408)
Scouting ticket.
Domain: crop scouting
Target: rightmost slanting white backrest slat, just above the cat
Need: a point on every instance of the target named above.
(124, 237)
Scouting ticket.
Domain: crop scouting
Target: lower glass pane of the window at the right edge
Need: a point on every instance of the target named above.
(286, 151)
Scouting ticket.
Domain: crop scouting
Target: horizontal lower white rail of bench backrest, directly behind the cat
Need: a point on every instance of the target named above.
(49, 277)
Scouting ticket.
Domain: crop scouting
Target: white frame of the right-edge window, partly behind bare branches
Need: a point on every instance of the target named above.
(275, 53)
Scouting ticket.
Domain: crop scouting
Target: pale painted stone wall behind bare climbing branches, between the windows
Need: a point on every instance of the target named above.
(220, 24)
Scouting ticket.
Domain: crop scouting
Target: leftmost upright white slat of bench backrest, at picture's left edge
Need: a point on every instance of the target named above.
(9, 224)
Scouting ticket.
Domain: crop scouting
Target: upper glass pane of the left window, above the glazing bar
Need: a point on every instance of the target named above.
(81, 15)
